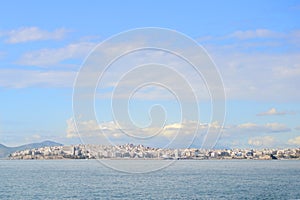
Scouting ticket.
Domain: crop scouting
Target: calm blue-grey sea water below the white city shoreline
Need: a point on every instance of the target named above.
(184, 179)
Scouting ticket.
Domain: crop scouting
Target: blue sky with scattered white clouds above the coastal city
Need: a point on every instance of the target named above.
(255, 46)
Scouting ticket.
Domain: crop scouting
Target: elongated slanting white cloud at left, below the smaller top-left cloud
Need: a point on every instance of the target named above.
(54, 57)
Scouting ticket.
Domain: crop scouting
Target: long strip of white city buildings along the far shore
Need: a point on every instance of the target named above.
(140, 152)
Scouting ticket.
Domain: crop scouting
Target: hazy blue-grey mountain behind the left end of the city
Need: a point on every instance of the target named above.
(5, 151)
